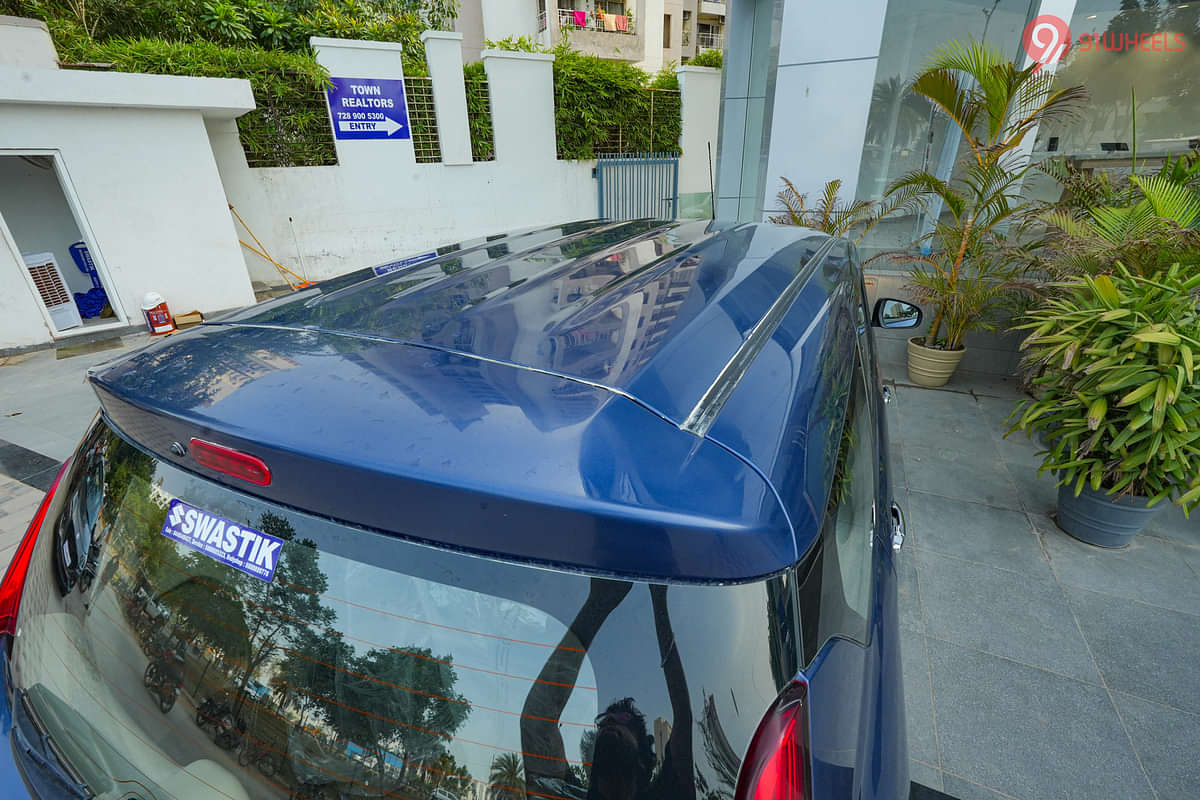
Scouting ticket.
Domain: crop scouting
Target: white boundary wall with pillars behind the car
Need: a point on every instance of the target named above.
(379, 204)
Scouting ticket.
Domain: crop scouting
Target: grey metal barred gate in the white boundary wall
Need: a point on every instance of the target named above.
(633, 187)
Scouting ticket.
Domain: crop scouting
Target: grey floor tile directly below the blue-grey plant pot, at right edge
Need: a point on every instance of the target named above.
(1150, 570)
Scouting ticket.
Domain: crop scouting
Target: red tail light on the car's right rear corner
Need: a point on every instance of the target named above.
(777, 766)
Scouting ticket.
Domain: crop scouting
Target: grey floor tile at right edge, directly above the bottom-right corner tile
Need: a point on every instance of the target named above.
(1143, 651)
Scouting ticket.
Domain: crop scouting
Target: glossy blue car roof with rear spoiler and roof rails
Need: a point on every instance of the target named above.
(568, 395)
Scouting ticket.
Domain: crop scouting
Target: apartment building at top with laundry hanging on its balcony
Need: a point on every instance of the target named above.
(651, 34)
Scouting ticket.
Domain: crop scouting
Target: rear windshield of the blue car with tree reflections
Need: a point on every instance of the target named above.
(179, 639)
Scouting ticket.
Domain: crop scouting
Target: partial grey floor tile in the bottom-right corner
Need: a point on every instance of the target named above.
(1166, 741)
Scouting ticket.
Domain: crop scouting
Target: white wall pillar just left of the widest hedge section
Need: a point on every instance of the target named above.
(523, 92)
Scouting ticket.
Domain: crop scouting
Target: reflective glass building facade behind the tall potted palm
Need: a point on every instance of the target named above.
(1148, 47)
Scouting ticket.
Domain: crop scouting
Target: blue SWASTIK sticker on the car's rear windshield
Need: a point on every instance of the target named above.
(247, 550)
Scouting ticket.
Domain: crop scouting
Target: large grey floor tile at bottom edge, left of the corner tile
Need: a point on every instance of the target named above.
(1028, 733)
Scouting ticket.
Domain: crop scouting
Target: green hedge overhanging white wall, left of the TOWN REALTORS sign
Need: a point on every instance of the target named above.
(291, 125)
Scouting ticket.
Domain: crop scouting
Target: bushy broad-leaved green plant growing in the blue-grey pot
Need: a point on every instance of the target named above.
(1118, 400)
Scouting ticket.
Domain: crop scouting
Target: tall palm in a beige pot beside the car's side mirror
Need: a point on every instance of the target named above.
(965, 267)
